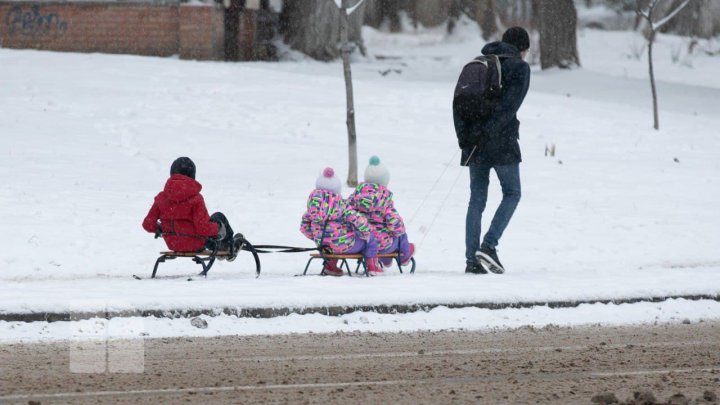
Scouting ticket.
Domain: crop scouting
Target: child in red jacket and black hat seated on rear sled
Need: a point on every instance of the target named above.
(180, 216)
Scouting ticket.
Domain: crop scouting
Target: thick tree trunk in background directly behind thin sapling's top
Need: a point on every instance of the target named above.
(313, 27)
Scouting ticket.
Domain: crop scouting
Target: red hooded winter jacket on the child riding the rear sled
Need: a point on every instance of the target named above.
(183, 215)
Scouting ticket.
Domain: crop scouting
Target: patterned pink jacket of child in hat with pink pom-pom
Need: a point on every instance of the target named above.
(327, 213)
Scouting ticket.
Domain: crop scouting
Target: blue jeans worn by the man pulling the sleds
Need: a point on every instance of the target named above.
(509, 176)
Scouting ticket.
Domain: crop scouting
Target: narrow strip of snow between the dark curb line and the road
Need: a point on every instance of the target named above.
(437, 319)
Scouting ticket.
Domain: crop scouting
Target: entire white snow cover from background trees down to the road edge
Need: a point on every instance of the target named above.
(621, 211)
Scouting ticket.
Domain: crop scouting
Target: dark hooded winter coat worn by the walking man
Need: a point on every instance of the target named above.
(499, 134)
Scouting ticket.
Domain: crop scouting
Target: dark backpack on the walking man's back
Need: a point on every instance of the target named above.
(478, 89)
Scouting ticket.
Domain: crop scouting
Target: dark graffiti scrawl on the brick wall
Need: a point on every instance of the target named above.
(32, 22)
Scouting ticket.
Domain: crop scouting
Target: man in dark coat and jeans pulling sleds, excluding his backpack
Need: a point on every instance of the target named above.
(496, 147)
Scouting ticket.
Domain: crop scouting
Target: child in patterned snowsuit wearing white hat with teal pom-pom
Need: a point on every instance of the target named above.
(373, 199)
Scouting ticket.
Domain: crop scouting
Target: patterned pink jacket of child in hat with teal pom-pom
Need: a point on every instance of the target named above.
(375, 203)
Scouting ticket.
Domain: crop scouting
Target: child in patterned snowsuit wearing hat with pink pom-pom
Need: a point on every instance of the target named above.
(331, 222)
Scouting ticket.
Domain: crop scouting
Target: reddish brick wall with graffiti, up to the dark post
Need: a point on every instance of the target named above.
(194, 32)
